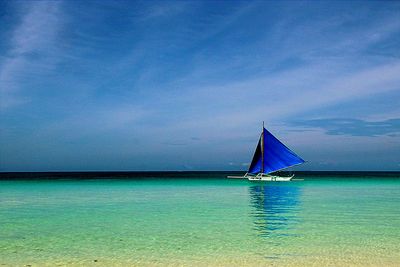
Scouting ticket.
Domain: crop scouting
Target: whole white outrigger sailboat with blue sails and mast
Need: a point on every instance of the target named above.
(271, 156)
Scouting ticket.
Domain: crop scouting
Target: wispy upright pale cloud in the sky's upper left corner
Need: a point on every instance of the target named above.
(32, 47)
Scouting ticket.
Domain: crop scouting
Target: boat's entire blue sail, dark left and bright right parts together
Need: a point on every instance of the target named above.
(276, 156)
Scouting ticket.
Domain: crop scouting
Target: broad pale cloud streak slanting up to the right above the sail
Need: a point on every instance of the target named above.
(241, 104)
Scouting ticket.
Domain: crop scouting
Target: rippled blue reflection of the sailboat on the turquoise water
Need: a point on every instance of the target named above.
(275, 208)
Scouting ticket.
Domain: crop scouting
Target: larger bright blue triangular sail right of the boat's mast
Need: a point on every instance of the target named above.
(276, 155)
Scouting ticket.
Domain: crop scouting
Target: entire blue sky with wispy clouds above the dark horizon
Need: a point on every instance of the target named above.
(185, 85)
